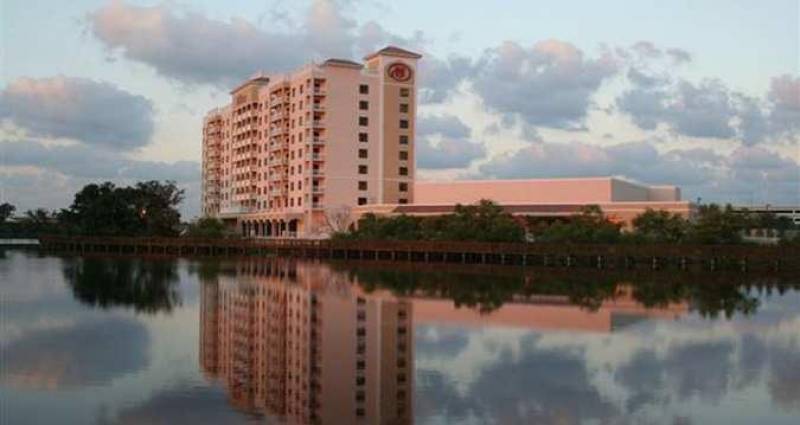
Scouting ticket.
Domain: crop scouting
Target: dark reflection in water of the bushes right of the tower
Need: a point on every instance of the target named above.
(723, 297)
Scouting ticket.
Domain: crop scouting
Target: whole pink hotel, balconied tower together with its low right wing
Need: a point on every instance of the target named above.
(340, 135)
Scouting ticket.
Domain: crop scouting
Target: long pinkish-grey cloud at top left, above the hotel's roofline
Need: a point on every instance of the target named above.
(192, 48)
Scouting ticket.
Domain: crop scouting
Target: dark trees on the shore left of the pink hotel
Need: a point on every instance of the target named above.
(145, 209)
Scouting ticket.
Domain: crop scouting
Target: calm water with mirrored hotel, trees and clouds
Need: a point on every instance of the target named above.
(129, 341)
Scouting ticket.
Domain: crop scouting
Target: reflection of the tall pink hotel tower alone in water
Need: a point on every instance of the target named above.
(300, 342)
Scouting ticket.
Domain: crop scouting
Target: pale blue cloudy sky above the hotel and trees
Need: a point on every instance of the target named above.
(703, 95)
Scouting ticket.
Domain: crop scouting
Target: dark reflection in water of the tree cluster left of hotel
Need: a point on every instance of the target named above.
(148, 286)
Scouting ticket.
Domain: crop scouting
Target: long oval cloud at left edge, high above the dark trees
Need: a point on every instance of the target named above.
(92, 112)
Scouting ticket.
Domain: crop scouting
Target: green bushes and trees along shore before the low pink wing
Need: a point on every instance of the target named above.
(487, 222)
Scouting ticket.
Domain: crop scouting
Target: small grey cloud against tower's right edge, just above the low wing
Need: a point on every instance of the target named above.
(443, 142)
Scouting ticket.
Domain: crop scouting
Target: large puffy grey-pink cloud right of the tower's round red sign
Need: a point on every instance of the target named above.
(550, 84)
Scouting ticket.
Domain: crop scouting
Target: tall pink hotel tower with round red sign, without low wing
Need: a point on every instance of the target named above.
(291, 149)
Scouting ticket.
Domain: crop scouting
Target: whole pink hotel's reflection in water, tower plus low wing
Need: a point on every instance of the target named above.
(305, 343)
